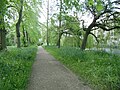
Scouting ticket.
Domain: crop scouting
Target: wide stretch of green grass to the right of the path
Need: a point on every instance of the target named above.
(99, 69)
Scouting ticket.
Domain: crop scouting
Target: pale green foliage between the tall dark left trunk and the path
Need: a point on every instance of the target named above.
(30, 21)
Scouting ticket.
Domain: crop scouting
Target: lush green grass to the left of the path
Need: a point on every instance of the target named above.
(15, 67)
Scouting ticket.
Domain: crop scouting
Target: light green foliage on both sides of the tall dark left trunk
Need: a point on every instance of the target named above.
(29, 21)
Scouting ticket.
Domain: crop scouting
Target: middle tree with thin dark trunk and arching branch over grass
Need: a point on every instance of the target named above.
(67, 23)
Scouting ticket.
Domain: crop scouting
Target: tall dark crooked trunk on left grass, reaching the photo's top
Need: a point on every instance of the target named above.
(18, 24)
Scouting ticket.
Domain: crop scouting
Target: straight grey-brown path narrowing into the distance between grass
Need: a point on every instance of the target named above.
(50, 74)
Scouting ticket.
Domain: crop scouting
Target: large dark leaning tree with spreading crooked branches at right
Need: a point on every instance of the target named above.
(103, 15)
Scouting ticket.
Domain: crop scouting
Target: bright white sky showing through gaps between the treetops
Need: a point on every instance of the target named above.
(53, 9)
